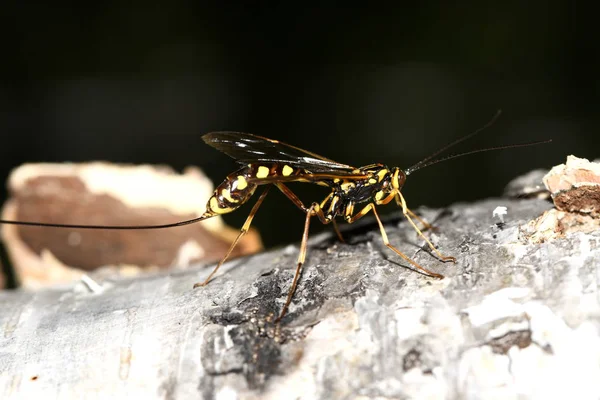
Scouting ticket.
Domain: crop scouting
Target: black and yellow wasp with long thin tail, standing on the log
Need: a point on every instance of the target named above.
(354, 192)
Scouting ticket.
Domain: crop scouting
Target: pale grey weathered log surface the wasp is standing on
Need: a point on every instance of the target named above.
(510, 320)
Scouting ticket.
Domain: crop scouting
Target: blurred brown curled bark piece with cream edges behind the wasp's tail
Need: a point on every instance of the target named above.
(107, 194)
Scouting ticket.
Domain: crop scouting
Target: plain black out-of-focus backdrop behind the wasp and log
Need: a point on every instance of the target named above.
(140, 83)
